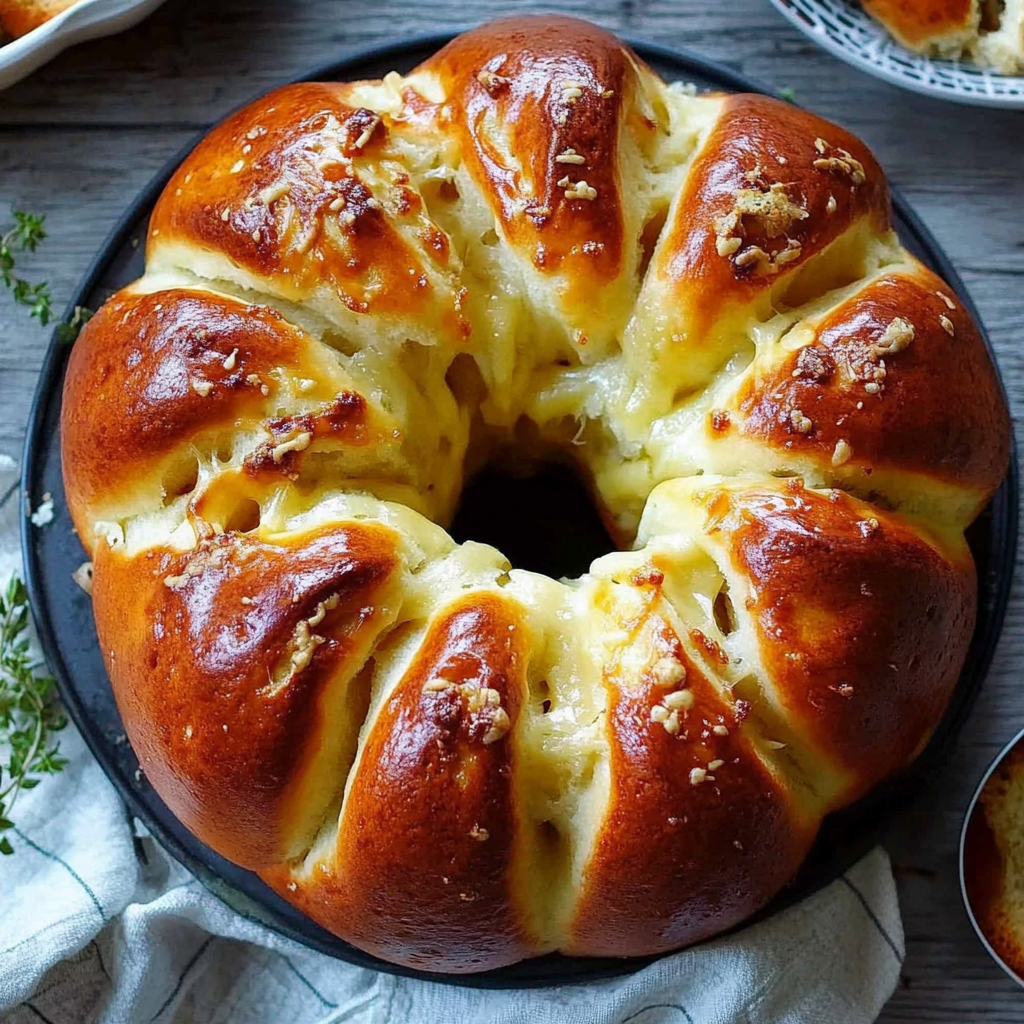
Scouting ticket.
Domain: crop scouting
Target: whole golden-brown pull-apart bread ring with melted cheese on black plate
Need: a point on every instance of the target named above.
(356, 295)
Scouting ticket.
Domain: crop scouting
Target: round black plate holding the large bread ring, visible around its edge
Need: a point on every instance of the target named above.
(64, 615)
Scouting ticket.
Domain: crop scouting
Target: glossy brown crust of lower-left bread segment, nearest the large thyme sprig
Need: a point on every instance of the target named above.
(240, 643)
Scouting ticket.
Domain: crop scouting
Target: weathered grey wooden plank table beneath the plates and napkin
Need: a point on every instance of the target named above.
(82, 137)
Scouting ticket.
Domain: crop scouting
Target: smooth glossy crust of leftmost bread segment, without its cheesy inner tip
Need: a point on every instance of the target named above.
(151, 372)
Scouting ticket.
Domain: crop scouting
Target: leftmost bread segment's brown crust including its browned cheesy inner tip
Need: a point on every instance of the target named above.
(157, 380)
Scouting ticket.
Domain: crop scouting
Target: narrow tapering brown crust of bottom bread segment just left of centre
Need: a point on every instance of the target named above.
(426, 845)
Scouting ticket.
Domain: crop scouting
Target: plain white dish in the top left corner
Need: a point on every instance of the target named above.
(88, 20)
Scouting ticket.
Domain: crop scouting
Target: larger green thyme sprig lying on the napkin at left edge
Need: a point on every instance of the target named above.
(30, 714)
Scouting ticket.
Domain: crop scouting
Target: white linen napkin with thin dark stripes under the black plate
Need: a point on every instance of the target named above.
(99, 924)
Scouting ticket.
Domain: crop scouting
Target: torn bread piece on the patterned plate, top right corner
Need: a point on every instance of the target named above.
(989, 32)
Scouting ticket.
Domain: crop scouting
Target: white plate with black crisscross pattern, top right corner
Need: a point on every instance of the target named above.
(846, 31)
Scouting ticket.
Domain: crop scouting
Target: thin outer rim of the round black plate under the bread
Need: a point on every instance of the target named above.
(46, 395)
